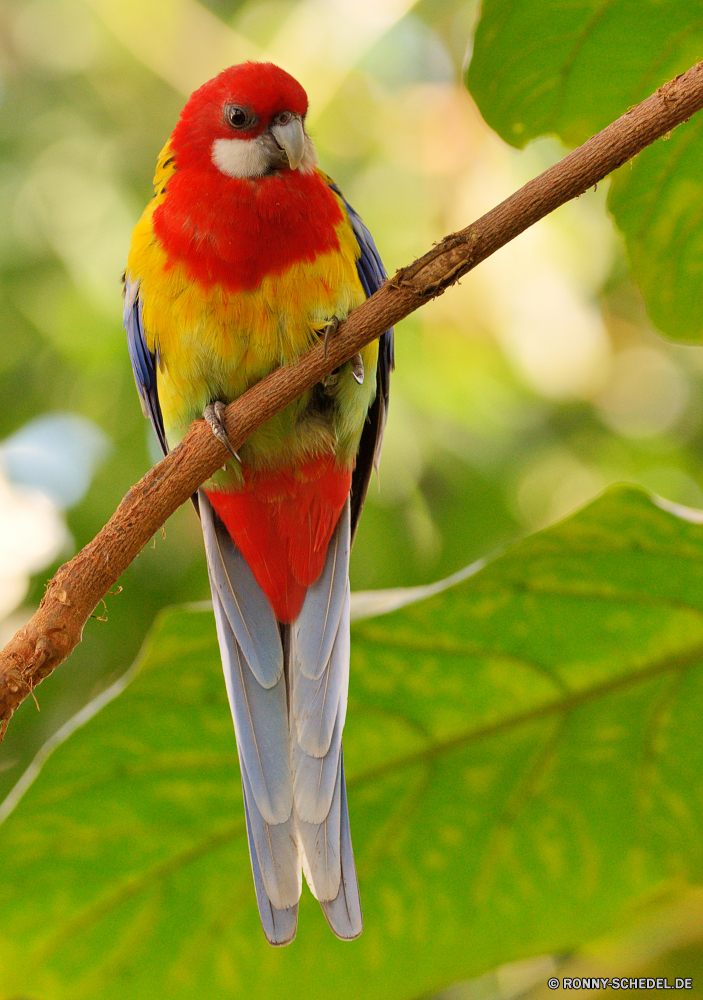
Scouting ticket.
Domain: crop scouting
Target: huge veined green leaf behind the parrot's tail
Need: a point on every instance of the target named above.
(523, 752)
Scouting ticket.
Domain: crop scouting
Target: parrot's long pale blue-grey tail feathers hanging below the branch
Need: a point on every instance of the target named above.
(287, 688)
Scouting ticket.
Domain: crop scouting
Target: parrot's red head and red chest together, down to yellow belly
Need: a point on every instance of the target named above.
(244, 199)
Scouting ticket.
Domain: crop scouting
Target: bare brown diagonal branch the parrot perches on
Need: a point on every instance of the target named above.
(80, 584)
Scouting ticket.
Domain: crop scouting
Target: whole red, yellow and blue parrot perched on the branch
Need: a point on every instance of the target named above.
(246, 256)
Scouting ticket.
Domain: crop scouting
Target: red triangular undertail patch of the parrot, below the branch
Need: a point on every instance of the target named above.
(282, 523)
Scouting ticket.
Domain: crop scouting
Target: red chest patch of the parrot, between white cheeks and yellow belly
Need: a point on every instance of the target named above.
(234, 232)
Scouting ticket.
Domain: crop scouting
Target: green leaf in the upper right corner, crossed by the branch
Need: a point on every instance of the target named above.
(568, 69)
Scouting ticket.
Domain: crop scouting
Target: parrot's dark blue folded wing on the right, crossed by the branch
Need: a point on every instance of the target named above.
(372, 274)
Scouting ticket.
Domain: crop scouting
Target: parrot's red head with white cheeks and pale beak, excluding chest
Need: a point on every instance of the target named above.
(246, 122)
